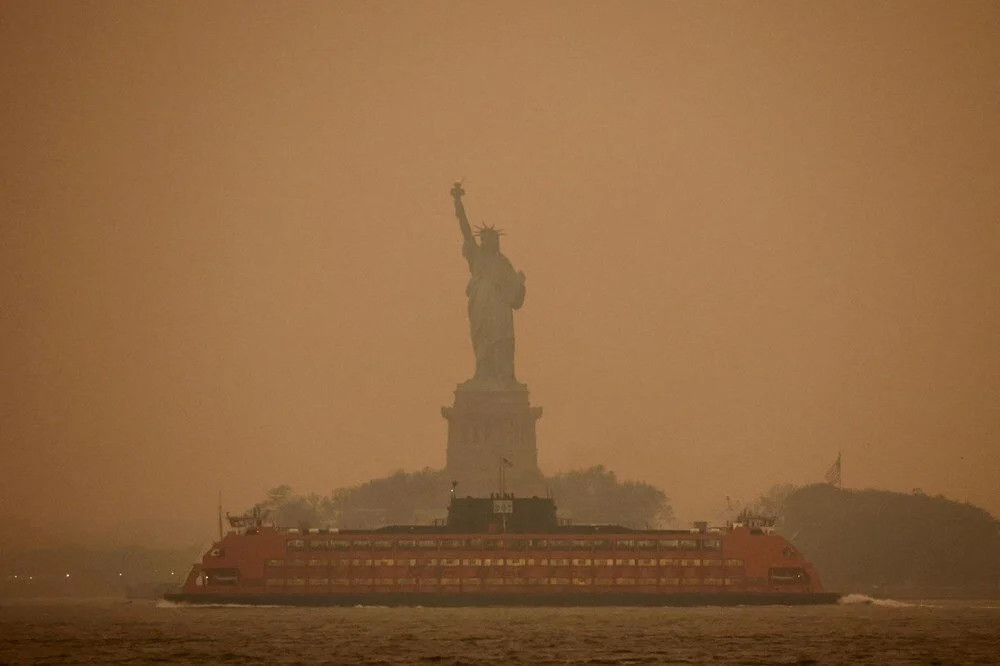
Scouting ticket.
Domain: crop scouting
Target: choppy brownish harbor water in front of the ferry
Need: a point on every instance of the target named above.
(862, 630)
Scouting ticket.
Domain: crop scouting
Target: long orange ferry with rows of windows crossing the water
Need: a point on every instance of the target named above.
(503, 550)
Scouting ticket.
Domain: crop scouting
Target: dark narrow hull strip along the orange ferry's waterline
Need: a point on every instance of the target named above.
(481, 600)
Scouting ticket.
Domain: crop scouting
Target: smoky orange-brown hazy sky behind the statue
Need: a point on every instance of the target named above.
(755, 234)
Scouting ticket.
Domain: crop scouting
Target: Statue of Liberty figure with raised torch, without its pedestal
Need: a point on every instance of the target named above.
(494, 292)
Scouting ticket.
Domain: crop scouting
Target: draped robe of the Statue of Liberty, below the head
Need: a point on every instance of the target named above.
(494, 292)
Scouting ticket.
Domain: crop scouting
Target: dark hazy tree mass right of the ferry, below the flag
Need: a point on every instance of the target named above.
(882, 542)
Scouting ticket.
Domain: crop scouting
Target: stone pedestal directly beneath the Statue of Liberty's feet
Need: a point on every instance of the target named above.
(485, 426)
